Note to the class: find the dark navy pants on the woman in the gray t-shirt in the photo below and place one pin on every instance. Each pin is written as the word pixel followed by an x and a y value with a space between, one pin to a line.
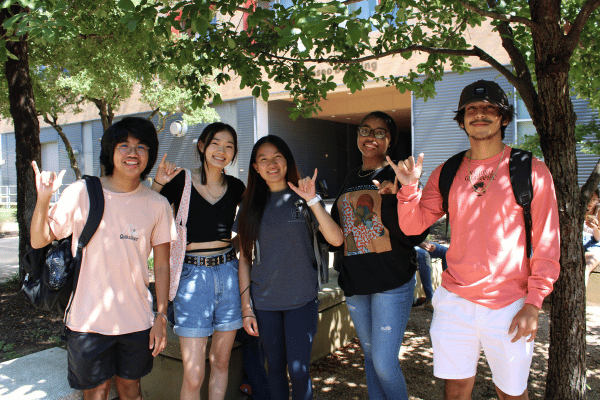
pixel 287 337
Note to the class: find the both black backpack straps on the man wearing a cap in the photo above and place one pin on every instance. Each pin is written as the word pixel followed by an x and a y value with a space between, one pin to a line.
pixel 519 168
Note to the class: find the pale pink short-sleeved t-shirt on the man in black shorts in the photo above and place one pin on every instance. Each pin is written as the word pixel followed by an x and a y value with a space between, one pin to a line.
pixel 112 296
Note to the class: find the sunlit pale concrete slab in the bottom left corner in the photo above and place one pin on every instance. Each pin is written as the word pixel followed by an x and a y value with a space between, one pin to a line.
pixel 41 375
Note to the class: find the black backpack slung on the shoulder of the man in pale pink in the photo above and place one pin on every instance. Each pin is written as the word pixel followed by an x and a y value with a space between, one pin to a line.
pixel 52 271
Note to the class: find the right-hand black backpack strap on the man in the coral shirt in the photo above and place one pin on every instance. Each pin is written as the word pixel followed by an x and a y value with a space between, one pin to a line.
pixel 522 185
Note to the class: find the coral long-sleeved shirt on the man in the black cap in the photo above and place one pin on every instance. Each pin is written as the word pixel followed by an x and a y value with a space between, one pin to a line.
pixel 487 263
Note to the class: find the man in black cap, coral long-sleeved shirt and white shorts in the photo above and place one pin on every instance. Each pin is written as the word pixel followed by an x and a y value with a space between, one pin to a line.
pixel 492 292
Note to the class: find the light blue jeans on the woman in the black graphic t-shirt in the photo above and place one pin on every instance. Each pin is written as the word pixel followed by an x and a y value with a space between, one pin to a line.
pixel 380 320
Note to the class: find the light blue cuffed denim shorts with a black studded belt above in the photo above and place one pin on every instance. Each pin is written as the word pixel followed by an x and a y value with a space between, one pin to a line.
pixel 207 299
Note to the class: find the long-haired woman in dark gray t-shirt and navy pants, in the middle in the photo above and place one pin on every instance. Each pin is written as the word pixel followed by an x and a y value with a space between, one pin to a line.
pixel 282 276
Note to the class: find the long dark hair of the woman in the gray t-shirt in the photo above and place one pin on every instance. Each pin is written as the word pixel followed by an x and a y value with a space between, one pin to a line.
pixel 257 193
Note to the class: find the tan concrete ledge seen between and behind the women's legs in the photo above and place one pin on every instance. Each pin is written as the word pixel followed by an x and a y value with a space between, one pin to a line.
pixel 335 329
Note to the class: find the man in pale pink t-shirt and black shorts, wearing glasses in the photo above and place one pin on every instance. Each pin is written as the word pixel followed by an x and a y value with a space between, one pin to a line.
pixel 111 327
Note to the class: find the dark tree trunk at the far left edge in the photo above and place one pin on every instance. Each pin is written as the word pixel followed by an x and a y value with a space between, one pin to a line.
pixel 27 131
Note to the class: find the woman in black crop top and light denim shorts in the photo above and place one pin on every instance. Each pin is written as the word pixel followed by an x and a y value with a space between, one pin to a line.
pixel 207 301
